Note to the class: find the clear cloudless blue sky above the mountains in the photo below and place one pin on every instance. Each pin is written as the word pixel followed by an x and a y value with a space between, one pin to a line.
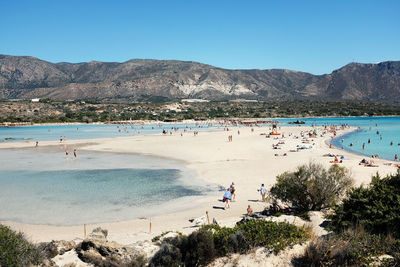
pixel 312 36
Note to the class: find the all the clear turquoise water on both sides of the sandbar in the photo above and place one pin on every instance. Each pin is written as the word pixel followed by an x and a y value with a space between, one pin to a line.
pixel 43 187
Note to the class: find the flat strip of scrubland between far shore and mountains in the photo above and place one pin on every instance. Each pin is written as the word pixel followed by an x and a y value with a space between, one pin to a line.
pixel 102 111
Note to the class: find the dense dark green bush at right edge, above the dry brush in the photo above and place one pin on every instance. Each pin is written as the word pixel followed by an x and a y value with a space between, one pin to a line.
pixel 376 208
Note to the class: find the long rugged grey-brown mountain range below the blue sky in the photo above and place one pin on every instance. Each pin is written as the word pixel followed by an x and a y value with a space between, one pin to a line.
pixel 138 79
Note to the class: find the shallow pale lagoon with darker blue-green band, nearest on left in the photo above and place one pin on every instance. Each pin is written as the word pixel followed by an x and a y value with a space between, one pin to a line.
pixel 47 188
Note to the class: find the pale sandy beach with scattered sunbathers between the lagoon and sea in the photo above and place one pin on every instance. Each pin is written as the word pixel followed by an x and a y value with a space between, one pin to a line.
pixel 248 161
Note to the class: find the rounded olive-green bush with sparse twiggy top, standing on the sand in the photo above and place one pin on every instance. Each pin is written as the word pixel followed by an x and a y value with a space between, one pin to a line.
pixel 312 187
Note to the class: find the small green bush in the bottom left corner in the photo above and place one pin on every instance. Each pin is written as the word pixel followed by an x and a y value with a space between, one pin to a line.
pixel 15 250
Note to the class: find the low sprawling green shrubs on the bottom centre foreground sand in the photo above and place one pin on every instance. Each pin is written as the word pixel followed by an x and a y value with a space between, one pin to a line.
pixel 202 246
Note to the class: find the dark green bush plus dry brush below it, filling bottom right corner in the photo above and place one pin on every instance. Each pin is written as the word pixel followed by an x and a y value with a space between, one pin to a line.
pixel 366 226
